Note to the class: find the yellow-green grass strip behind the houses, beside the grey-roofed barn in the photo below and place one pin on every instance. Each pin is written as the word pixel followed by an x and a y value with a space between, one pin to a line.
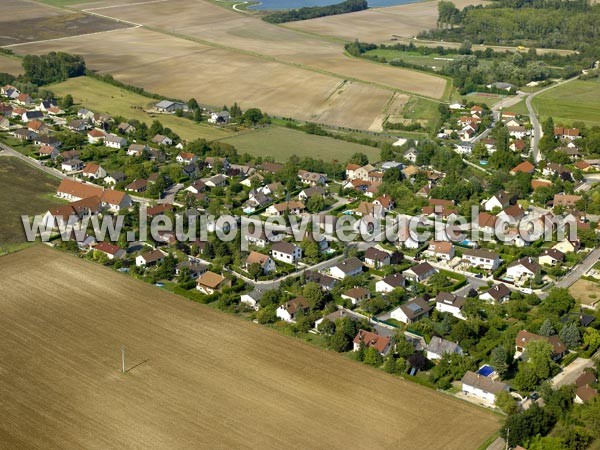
pixel 106 98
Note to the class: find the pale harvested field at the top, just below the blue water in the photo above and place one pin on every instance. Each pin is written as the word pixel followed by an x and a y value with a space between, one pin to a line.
pixel 379 24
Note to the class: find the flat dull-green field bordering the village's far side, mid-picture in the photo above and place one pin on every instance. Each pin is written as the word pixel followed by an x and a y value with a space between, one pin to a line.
pixel 281 143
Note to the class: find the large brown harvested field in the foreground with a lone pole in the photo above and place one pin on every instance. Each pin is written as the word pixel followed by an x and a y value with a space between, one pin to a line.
pixel 196 378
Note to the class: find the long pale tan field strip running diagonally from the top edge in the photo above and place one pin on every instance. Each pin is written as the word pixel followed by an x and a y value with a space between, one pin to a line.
pixel 199 19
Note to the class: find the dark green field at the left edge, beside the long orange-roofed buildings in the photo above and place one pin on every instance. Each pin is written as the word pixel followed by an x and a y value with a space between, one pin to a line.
pixel 25 190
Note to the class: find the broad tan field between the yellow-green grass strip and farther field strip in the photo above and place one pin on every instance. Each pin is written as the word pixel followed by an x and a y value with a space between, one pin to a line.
pixel 183 69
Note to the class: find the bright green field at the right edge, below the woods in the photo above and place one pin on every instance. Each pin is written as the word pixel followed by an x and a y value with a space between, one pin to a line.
pixel 575 101
